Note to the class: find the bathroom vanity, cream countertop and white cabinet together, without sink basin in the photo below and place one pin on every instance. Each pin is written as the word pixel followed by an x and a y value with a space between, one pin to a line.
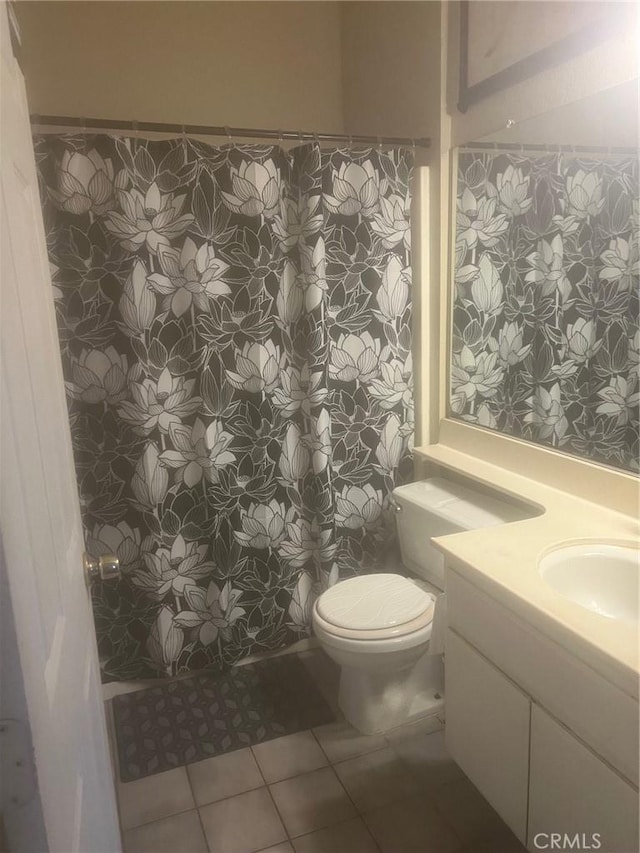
pixel 541 693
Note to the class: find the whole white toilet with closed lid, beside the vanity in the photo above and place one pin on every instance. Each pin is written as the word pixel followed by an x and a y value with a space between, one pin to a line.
pixel 378 627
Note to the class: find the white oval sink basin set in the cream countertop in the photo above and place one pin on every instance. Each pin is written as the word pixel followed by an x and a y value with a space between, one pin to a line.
pixel 601 578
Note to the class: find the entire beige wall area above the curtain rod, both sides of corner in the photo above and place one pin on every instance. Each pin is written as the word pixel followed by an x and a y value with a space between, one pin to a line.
pixel 365 67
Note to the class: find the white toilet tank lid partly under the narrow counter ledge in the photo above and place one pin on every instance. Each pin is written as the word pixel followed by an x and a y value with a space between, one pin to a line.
pixel 457 504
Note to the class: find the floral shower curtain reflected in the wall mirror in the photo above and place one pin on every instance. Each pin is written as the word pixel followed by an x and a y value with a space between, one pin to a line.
pixel 546 340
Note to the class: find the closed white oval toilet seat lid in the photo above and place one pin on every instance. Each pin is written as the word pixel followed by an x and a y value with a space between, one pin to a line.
pixel 375 603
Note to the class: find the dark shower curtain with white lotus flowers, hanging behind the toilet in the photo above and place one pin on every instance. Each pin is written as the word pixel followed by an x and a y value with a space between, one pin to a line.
pixel 235 333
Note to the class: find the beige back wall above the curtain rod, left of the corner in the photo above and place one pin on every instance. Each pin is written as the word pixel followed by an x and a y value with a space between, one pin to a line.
pixel 253 64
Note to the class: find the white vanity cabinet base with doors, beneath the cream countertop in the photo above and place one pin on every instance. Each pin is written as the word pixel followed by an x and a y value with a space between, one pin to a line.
pixel 543 766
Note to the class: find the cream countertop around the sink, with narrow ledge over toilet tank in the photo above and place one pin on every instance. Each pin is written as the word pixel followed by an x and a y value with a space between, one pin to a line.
pixel 503 561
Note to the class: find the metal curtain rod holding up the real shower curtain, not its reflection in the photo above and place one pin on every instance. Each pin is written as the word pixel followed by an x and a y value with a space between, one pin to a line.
pixel 204 130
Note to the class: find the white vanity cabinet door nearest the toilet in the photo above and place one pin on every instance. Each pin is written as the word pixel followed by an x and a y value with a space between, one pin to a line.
pixel 487 730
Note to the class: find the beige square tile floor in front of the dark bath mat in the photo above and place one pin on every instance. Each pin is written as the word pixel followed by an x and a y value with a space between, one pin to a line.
pixel 327 790
